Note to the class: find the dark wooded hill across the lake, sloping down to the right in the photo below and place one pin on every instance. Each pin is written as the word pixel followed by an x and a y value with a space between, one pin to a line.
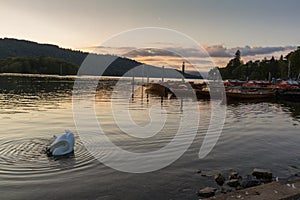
pixel 22 56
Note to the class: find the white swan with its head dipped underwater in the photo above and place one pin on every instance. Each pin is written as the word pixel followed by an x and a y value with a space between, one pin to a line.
pixel 62 145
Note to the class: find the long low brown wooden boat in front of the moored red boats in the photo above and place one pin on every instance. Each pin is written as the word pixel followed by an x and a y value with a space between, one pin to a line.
pixel 249 93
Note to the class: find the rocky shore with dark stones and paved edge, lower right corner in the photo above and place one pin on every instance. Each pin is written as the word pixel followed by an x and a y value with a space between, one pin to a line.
pixel 260 184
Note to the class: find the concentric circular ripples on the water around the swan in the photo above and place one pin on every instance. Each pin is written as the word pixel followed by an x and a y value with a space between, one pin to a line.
pixel 23 157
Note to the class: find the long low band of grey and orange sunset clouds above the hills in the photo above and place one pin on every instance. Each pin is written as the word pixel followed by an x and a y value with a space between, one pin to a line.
pixel 170 55
